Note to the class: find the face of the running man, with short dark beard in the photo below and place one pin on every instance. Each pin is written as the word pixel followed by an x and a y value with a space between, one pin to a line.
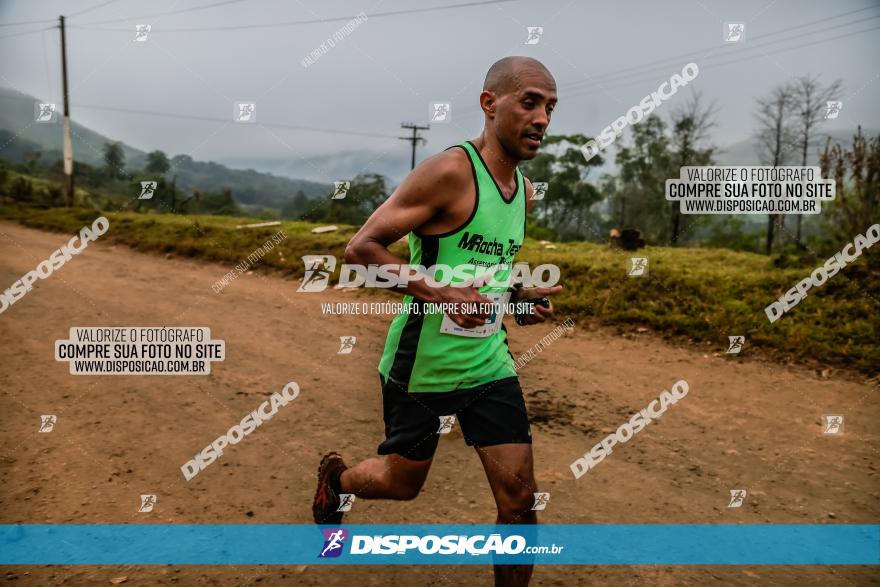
pixel 523 113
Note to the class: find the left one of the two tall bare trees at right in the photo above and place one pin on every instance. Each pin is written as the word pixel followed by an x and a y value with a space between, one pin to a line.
pixel 775 137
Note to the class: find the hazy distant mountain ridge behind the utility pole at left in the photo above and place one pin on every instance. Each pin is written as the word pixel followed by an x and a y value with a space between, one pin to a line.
pixel 22 137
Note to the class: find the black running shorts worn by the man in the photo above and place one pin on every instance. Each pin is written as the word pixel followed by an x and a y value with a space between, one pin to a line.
pixel 490 414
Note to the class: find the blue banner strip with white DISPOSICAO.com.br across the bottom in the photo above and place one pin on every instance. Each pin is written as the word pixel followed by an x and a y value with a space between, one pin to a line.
pixel 439 544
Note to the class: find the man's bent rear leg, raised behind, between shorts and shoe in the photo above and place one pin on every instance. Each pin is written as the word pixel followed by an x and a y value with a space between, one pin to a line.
pixel 386 477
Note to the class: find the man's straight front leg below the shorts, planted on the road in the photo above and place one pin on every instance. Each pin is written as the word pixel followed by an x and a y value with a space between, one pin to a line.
pixel 510 471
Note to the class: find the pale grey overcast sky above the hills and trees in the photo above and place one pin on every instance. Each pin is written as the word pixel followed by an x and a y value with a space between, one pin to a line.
pixel 605 57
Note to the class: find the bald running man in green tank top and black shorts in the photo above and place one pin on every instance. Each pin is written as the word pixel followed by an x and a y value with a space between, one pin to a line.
pixel 464 206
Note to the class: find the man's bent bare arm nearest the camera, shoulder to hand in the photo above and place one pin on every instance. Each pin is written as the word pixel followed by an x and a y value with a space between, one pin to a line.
pixel 425 197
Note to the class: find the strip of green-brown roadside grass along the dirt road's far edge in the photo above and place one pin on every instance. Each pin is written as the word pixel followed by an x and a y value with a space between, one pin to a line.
pixel 688 293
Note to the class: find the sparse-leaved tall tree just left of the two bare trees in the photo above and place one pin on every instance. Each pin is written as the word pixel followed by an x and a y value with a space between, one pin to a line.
pixel 690 125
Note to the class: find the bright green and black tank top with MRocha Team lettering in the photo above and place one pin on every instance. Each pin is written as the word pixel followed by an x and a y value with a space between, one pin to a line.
pixel 417 354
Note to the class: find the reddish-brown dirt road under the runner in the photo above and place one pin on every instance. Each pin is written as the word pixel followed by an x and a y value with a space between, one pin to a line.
pixel 746 423
